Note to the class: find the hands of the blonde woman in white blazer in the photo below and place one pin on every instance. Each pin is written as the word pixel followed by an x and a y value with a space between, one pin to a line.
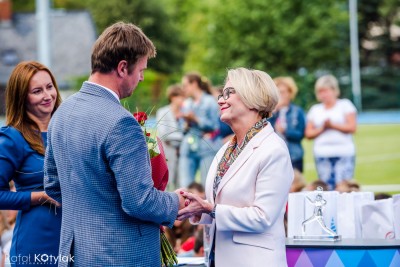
pixel 195 206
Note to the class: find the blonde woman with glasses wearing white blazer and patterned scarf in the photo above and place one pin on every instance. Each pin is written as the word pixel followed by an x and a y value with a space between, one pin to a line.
pixel 249 180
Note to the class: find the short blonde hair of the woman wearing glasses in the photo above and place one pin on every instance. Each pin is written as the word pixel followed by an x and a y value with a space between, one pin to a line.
pixel 256 89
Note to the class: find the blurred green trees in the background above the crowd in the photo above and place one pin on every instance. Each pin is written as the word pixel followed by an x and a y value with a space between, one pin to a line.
pixel 299 38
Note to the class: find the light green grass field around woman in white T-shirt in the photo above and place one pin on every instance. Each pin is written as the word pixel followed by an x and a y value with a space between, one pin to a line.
pixel 377 155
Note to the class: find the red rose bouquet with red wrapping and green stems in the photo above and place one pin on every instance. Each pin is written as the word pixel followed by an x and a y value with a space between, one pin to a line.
pixel 159 174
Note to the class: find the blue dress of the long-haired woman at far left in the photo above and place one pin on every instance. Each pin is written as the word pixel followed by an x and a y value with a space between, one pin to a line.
pixel 36 235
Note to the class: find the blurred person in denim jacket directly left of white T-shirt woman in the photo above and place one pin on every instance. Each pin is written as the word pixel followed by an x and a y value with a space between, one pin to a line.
pixel 289 120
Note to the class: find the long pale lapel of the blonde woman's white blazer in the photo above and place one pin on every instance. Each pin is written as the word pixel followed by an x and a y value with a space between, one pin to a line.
pixel 254 143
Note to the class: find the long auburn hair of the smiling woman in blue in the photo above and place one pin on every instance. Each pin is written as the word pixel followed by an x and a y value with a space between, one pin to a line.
pixel 16 97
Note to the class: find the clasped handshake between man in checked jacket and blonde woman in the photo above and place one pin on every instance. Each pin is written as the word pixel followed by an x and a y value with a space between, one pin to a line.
pixel 192 205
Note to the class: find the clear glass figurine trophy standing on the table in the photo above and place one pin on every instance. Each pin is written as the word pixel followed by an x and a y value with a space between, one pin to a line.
pixel 319 202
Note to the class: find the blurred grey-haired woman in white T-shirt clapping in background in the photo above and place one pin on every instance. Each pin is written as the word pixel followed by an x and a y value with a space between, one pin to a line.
pixel 331 123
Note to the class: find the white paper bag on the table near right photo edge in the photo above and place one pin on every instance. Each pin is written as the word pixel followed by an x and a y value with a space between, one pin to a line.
pixel 377 219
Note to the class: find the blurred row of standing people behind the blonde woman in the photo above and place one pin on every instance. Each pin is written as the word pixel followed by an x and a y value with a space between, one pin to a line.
pixel 192 133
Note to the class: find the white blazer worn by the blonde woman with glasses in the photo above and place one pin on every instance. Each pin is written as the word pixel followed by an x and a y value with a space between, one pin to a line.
pixel 251 199
